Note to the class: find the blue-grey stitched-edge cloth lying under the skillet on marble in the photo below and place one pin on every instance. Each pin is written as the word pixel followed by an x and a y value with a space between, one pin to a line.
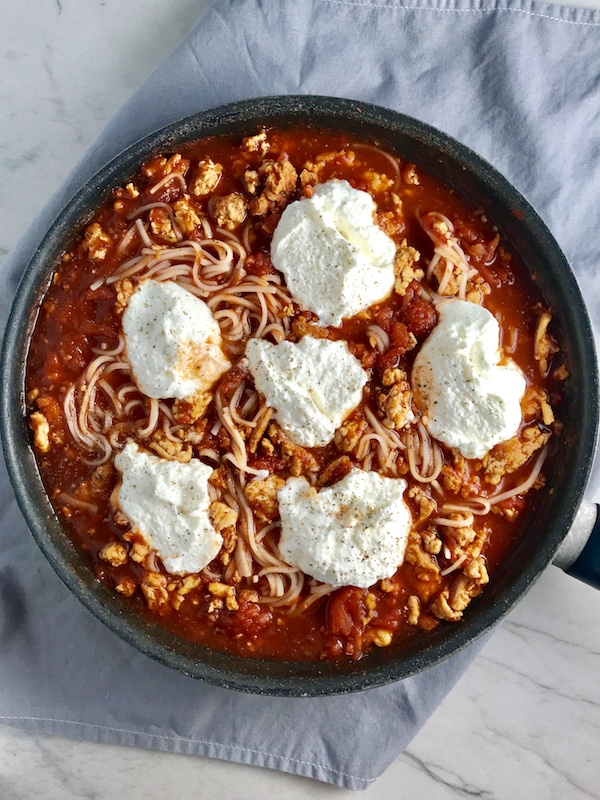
pixel 517 81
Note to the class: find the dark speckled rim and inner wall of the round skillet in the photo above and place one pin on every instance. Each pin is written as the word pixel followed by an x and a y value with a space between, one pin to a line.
pixel 553 508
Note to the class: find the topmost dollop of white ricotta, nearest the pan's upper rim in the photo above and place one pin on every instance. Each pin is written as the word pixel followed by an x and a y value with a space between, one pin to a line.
pixel 335 260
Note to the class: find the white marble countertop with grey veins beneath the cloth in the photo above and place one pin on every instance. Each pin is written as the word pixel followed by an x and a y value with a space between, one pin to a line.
pixel 524 721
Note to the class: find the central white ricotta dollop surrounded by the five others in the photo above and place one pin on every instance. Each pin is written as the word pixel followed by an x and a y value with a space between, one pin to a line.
pixel 312 385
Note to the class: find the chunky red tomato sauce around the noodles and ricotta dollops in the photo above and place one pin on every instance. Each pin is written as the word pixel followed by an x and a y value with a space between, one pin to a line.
pixel 77 317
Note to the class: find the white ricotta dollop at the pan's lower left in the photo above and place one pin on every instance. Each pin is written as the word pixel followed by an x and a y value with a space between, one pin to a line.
pixel 167 503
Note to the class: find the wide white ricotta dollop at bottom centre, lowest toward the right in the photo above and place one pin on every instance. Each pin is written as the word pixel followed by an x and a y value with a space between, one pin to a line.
pixel 353 533
